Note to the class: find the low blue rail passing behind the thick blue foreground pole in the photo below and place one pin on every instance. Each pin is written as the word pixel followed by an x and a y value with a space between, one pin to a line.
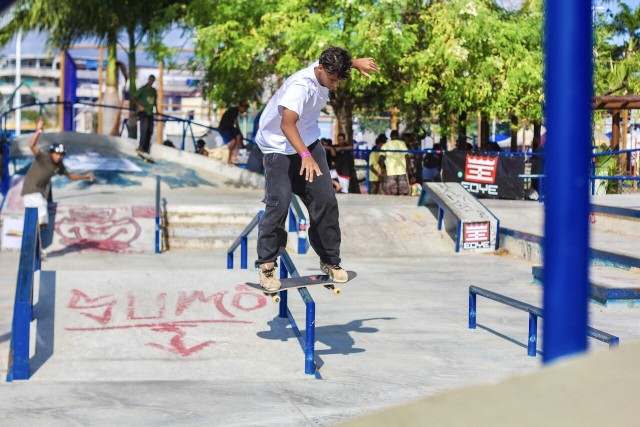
pixel 534 314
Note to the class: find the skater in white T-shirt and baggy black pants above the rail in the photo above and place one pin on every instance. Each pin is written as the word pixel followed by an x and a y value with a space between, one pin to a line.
pixel 295 161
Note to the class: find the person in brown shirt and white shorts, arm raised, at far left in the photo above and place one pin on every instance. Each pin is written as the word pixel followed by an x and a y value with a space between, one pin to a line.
pixel 38 179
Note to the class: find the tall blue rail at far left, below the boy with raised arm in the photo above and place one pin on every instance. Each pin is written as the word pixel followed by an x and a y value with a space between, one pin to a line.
pixel 23 306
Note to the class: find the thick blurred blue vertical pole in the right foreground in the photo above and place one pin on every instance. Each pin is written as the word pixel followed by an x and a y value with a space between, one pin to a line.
pixel 568 89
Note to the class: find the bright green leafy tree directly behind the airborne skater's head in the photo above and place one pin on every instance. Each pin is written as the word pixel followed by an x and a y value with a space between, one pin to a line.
pixel 242 45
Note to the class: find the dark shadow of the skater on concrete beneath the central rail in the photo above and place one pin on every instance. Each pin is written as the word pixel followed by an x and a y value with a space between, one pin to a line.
pixel 337 338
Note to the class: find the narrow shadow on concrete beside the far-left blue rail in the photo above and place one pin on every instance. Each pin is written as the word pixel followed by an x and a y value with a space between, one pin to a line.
pixel 44 313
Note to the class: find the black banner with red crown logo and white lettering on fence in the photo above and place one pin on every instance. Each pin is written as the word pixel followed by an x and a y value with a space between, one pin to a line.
pixel 489 175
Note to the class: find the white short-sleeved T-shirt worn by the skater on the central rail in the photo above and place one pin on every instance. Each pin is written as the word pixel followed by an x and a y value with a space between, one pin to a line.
pixel 301 93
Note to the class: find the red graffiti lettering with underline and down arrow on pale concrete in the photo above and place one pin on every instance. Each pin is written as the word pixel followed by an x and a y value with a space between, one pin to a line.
pixel 100 309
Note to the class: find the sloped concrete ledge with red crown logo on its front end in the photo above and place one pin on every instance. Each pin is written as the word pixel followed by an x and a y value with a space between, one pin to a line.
pixel 469 223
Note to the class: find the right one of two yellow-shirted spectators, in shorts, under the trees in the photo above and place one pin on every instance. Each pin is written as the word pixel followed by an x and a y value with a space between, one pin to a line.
pixel 395 167
